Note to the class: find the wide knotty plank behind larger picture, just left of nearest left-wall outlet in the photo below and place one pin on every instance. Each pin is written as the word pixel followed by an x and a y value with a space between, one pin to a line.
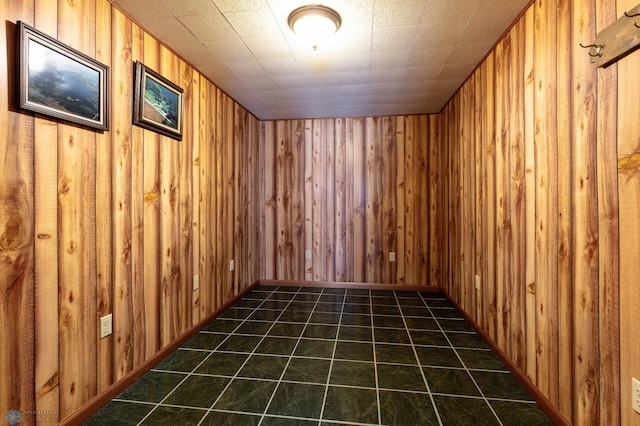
pixel 76 227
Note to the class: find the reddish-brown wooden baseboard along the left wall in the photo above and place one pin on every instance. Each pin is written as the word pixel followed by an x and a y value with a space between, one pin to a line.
pixel 100 400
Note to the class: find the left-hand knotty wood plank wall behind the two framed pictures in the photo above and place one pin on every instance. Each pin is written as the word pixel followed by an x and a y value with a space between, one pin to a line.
pixel 117 221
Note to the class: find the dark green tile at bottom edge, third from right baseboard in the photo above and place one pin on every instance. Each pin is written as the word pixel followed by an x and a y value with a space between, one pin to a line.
pixel 404 408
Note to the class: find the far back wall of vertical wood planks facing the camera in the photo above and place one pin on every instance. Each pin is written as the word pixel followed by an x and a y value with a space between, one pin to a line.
pixel 350 191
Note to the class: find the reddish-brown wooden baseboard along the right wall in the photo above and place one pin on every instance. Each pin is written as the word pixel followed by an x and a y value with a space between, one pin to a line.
pixel 550 410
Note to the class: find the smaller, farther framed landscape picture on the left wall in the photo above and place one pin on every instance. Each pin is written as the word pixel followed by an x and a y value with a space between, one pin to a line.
pixel 157 103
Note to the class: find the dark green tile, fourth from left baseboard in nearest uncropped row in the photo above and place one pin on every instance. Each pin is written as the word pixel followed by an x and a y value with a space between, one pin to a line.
pixel 297 400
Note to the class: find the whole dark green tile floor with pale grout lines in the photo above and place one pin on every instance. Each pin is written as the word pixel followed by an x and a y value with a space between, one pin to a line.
pixel 313 356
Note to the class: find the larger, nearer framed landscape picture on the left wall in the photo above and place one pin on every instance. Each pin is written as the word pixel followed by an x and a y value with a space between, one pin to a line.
pixel 60 82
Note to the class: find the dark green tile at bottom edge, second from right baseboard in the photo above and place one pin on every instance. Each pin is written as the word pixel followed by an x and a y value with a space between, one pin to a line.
pixel 464 411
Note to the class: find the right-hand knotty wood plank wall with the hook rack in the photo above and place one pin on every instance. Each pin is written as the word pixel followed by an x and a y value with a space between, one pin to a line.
pixel 541 192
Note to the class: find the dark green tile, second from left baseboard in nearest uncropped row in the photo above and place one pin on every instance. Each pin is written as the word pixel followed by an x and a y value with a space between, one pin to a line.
pixel 197 391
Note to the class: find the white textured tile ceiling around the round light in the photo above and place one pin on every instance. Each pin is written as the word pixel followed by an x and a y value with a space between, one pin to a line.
pixel 390 57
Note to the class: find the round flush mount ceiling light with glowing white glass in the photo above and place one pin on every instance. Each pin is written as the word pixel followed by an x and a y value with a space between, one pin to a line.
pixel 314 23
